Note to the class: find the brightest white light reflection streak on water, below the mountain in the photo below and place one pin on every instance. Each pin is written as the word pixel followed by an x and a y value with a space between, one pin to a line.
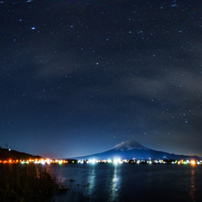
pixel 115 183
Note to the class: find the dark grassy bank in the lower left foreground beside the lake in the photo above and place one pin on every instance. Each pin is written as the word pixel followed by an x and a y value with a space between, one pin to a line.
pixel 26 183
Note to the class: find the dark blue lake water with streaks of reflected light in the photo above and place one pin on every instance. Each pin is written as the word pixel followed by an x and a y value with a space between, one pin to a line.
pixel 129 182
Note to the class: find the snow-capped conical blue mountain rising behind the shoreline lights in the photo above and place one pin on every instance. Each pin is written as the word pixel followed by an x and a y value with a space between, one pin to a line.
pixel 132 149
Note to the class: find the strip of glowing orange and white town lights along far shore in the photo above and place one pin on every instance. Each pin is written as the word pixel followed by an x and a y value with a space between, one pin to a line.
pixel 48 161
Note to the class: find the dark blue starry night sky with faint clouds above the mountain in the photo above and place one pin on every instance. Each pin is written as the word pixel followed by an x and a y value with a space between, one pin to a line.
pixel 80 76
